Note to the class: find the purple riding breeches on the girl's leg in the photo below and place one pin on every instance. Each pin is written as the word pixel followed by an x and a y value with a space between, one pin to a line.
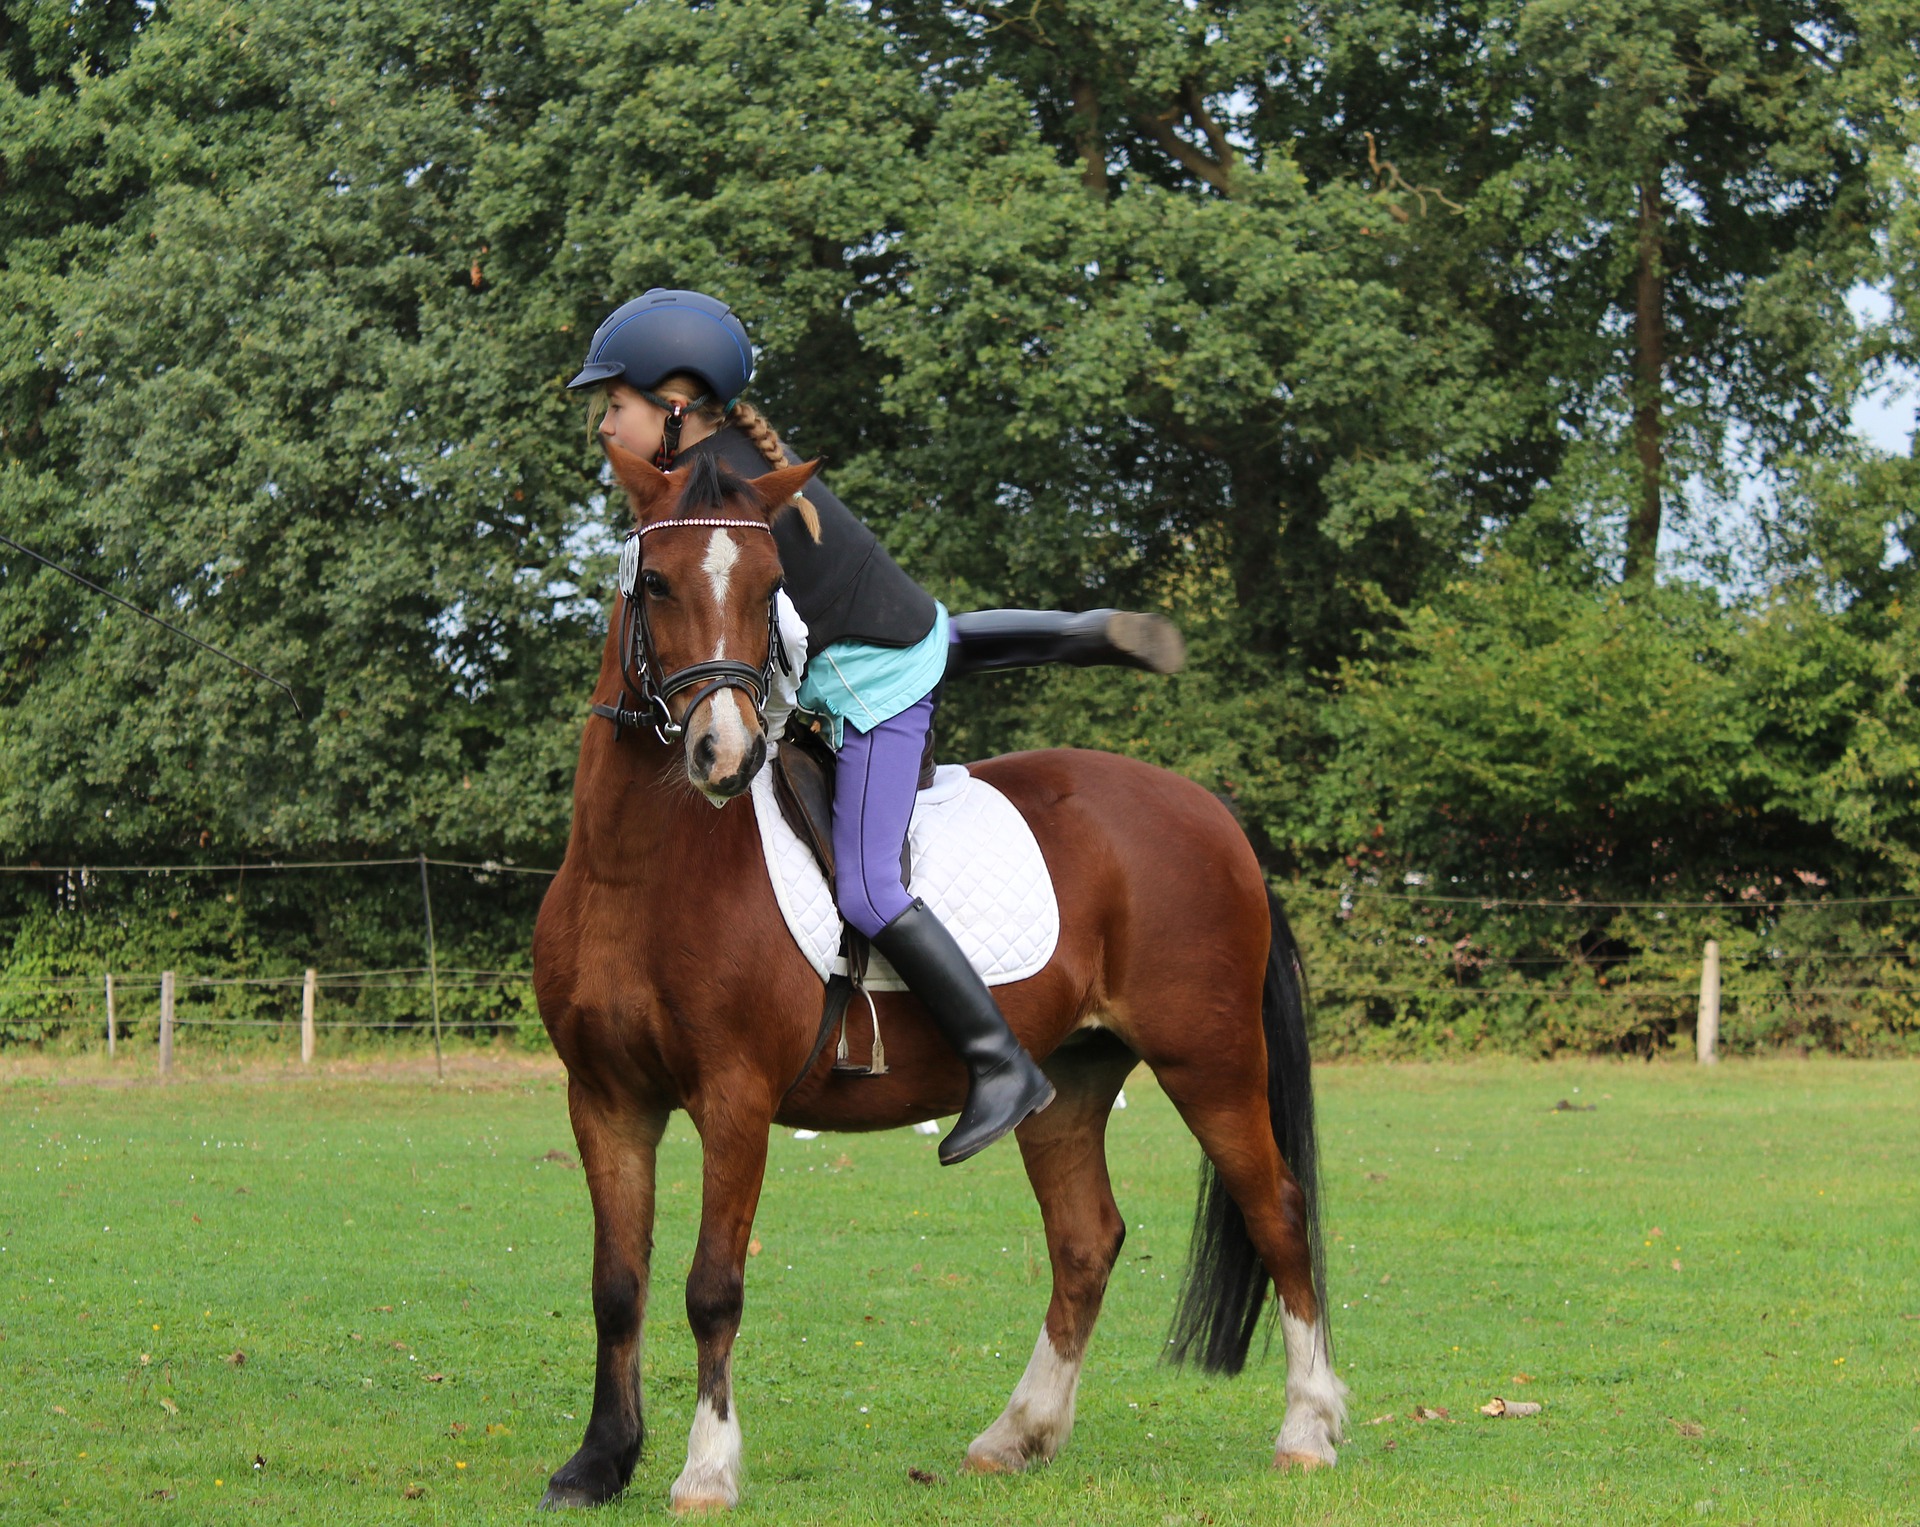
pixel 875 783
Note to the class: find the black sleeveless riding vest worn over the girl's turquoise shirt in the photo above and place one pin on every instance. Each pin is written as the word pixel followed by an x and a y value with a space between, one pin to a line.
pixel 846 589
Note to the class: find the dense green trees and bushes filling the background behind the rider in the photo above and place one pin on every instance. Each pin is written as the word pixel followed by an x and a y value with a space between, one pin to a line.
pixel 1307 327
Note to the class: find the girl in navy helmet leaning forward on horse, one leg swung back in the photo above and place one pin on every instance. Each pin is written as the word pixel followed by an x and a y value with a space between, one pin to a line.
pixel 671 368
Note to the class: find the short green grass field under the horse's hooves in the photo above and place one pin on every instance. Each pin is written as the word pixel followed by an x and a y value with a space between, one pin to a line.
pixel 1710 1280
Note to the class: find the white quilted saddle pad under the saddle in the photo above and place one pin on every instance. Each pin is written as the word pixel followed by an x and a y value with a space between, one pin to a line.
pixel 976 865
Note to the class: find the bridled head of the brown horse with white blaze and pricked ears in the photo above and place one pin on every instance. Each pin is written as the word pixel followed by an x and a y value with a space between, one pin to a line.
pixel 698 608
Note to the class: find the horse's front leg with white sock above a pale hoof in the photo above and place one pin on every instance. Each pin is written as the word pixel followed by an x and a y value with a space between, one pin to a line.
pixel 734 1151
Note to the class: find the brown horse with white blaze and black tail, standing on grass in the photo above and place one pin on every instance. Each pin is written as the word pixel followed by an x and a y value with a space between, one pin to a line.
pixel 667 981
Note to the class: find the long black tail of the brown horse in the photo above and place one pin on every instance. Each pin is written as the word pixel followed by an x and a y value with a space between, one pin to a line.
pixel 1226 1278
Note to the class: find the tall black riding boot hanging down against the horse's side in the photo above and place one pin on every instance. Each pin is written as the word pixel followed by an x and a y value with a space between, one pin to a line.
pixel 1005 1082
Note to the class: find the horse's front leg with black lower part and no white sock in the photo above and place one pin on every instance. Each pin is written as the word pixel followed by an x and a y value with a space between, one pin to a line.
pixel 617 1150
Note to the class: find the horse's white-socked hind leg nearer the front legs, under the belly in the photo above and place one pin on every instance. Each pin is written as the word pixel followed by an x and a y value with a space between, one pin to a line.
pixel 1065 1150
